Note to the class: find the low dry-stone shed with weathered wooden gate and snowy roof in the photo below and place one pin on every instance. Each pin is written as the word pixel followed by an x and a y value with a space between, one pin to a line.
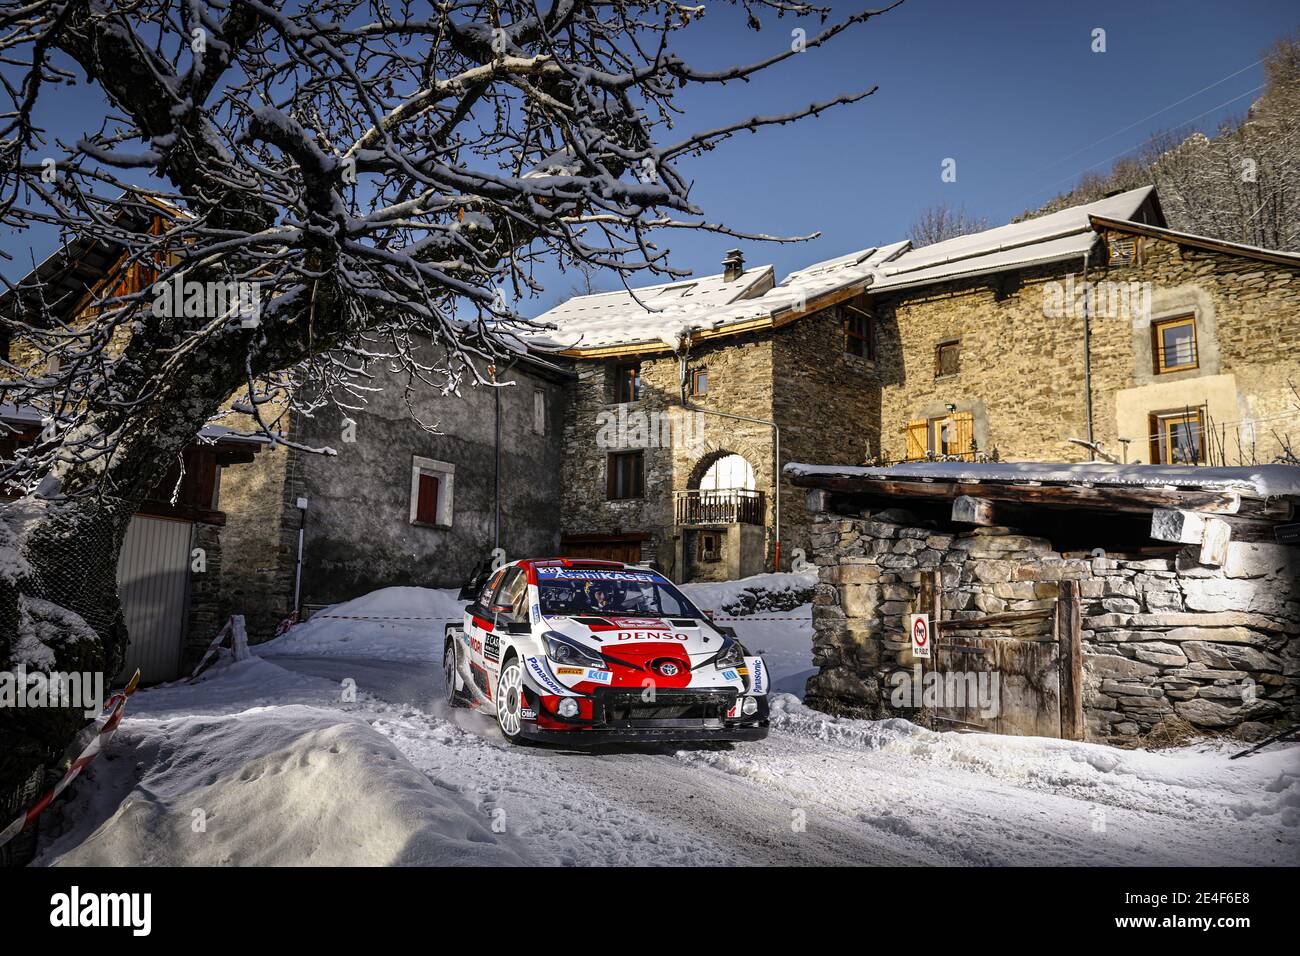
pixel 1085 602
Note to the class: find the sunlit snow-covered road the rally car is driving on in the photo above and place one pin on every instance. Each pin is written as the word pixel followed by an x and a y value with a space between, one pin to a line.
pixel 825 793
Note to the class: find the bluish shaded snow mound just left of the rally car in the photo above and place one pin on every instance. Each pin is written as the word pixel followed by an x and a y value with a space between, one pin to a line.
pixel 388 625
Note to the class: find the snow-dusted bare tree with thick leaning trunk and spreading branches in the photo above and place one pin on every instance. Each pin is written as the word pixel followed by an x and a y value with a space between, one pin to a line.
pixel 383 174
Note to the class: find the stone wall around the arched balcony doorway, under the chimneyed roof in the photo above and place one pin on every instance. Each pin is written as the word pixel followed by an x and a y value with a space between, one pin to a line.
pixel 825 401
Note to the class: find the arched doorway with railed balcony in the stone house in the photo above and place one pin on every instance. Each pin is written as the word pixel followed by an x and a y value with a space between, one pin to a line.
pixel 721 520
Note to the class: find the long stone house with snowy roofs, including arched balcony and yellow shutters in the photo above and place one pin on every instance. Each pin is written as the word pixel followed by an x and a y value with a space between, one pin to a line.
pixel 1091 334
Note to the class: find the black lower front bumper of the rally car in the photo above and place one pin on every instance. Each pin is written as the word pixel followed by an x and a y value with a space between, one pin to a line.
pixel 621 715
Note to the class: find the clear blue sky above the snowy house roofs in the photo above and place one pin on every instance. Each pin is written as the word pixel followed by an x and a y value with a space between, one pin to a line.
pixel 1008 89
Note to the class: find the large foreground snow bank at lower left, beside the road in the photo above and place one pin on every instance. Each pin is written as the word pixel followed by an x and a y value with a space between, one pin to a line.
pixel 291 786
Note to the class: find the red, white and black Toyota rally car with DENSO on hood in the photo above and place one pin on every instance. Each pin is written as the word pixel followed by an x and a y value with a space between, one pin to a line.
pixel 595 652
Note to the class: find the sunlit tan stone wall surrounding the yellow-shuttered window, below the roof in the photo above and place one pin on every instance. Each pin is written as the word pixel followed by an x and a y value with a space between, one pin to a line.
pixel 1022 371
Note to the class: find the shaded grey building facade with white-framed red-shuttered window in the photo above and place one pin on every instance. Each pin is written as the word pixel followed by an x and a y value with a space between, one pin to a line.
pixel 362 530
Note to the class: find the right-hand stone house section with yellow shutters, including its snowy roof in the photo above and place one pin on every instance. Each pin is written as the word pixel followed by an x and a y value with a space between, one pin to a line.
pixel 1091 327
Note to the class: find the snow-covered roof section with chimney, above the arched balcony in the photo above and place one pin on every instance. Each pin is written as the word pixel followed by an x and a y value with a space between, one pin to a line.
pixel 657 314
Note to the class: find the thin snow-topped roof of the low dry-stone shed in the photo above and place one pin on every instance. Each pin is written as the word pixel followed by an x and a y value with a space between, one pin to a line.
pixel 1264 481
